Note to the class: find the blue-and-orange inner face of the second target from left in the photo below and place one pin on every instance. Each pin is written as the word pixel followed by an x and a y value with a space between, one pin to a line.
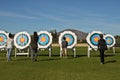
pixel 22 40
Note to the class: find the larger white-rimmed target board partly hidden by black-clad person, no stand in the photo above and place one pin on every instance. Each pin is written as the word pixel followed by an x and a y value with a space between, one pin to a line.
pixel 92 38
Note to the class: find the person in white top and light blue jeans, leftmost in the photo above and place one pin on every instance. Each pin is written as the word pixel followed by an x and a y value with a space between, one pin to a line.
pixel 9 45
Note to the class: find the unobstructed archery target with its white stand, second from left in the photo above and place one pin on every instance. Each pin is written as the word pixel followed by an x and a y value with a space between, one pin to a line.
pixel 22 41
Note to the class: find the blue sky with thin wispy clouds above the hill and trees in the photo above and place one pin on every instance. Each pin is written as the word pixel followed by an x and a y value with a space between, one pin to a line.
pixel 83 15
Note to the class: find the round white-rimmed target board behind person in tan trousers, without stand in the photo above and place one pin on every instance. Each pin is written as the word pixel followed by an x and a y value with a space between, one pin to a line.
pixel 71 38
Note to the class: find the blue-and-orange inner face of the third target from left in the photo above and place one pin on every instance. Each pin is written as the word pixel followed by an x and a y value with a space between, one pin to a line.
pixel 43 39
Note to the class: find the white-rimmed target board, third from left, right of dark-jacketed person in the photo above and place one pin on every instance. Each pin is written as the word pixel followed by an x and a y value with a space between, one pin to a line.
pixel 44 39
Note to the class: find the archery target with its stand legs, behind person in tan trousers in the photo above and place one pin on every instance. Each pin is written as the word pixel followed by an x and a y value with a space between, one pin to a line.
pixel 71 38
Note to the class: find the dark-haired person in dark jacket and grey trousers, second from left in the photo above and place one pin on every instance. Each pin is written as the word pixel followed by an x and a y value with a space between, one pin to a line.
pixel 34 46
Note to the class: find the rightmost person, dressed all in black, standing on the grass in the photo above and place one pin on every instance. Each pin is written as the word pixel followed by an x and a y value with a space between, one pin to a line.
pixel 102 47
